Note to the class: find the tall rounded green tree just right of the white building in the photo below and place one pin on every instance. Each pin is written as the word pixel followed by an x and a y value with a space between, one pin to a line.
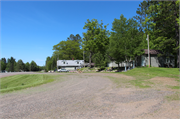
pixel 96 39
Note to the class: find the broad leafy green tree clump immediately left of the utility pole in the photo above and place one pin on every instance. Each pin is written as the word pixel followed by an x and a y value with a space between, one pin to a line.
pixel 125 40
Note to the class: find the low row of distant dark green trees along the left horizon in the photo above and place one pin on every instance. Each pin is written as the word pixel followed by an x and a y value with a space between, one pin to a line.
pixel 11 65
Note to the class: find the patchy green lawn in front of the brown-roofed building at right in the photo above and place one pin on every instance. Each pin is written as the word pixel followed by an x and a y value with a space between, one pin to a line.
pixel 142 75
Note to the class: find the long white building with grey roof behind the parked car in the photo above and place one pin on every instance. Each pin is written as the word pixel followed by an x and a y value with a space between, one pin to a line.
pixel 70 64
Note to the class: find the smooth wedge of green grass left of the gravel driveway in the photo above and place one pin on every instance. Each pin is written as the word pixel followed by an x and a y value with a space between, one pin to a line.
pixel 18 82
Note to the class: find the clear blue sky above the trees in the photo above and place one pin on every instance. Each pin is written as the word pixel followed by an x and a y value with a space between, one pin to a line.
pixel 29 29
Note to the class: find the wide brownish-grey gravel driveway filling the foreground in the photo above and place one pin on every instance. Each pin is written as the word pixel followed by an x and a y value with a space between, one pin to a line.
pixel 88 96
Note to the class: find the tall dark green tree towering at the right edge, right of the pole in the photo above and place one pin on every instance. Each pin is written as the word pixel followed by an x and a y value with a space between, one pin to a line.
pixel 164 19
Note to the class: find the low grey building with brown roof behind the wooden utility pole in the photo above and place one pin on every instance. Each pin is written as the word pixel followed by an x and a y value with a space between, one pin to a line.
pixel 155 61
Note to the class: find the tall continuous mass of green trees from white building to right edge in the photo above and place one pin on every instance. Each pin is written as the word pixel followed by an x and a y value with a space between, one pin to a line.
pixel 158 19
